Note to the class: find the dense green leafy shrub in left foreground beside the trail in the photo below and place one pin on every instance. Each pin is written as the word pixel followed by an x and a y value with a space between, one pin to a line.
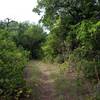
pixel 12 63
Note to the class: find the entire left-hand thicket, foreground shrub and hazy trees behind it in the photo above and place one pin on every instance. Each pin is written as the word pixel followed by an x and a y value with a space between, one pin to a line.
pixel 19 42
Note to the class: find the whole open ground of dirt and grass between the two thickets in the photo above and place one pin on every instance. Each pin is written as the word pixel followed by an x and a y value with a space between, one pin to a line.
pixel 49 78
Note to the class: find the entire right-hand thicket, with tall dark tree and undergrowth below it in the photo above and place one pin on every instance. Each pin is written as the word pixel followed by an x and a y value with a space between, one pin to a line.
pixel 74 38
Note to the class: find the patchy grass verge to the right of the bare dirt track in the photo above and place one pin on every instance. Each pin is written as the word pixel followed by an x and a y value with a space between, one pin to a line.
pixel 70 85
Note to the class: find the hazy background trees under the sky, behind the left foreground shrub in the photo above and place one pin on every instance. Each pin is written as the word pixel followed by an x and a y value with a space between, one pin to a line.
pixel 29 36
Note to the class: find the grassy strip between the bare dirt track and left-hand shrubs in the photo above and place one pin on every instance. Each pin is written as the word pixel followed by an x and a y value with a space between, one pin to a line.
pixel 32 76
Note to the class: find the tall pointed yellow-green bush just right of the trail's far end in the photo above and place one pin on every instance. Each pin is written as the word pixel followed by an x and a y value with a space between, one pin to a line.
pixel 55 47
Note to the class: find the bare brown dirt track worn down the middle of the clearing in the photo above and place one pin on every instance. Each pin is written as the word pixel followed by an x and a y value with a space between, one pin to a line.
pixel 47 80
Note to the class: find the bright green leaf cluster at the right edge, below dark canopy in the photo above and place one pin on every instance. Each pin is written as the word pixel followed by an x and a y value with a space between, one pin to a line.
pixel 88 33
